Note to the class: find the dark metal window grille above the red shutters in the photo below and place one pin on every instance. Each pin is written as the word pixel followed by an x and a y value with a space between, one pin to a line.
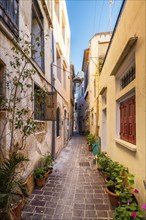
pixel 128 77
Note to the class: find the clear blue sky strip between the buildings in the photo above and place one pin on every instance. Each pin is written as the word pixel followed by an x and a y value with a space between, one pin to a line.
pixel 87 17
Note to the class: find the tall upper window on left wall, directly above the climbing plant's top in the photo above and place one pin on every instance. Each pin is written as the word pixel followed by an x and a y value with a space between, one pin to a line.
pixel 37 35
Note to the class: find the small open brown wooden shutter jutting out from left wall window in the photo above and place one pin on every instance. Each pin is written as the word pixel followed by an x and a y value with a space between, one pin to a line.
pixel 51 106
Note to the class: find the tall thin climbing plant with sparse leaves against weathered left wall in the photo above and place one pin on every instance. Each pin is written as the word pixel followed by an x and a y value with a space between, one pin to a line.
pixel 17 98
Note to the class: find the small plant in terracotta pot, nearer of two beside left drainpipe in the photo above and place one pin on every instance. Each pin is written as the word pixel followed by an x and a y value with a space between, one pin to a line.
pixel 39 175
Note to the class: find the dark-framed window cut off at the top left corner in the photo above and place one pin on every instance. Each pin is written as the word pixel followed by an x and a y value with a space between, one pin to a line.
pixel 9 10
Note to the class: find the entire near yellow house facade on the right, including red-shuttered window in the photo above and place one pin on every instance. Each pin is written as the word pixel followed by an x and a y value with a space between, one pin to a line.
pixel 122 94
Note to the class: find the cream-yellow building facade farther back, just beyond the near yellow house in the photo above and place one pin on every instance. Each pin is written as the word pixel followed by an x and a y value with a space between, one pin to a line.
pixel 97 50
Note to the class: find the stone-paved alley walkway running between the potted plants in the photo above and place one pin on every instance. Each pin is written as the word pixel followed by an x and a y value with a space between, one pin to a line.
pixel 74 191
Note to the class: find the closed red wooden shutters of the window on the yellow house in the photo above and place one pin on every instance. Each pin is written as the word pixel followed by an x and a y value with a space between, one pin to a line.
pixel 127 120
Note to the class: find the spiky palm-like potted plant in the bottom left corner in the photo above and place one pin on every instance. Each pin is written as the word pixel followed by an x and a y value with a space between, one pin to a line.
pixel 12 190
